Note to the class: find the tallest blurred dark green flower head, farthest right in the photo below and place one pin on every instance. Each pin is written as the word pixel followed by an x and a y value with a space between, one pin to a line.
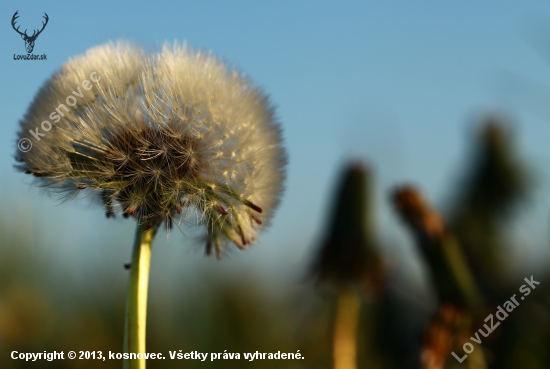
pixel 496 182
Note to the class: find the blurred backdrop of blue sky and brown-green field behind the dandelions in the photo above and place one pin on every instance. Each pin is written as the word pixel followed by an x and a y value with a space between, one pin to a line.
pixel 405 87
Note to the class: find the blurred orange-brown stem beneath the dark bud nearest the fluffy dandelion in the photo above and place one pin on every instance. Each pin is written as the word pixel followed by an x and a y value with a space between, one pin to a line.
pixel 345 330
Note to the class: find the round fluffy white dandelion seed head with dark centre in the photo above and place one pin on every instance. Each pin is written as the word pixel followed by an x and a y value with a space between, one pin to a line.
pixel 169 137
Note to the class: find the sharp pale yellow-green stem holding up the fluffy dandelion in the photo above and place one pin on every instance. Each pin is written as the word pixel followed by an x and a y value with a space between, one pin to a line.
pixel 136 303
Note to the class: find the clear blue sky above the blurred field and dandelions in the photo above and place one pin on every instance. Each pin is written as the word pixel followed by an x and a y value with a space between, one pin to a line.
pixel 396 83
